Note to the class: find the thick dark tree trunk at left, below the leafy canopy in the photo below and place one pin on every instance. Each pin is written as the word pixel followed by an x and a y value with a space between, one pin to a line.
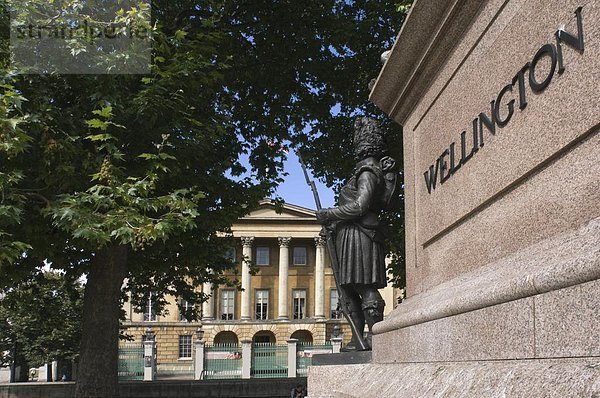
pixel 97 374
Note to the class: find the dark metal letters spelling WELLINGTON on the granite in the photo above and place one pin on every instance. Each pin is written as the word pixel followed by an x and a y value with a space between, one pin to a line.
pixel 446 165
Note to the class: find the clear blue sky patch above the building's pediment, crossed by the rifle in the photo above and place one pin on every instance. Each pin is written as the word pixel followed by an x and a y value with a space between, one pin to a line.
pixel 294 189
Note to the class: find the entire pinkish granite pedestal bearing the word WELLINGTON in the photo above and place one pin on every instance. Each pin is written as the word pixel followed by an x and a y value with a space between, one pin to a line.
pixel 499 104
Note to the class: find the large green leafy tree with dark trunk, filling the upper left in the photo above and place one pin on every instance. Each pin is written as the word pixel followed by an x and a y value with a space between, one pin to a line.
pixel 132 177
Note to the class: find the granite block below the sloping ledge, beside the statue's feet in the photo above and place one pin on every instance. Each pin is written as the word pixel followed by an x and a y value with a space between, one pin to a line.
pixel 504 331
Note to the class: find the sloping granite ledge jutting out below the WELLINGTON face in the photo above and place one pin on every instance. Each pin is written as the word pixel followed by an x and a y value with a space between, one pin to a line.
pixel 561 261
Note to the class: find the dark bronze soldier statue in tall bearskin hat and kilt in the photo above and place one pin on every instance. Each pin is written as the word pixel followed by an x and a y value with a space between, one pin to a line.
pixel 357 233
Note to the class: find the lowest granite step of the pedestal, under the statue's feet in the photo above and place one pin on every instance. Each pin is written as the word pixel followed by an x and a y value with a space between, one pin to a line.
pixel 573 378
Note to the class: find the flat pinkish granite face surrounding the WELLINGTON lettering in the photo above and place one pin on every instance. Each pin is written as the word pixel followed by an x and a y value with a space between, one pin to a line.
pixel 568 111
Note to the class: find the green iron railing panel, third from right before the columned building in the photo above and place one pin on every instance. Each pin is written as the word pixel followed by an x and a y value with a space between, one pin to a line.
pixel 222 361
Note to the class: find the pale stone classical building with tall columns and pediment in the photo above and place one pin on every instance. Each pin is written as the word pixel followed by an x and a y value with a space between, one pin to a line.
pixel 292 295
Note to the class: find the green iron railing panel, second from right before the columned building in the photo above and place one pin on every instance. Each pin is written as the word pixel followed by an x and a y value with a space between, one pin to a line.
pixel 269 360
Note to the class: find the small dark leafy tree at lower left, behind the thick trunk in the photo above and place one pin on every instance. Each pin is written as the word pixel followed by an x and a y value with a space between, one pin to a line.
pixel 42 317
